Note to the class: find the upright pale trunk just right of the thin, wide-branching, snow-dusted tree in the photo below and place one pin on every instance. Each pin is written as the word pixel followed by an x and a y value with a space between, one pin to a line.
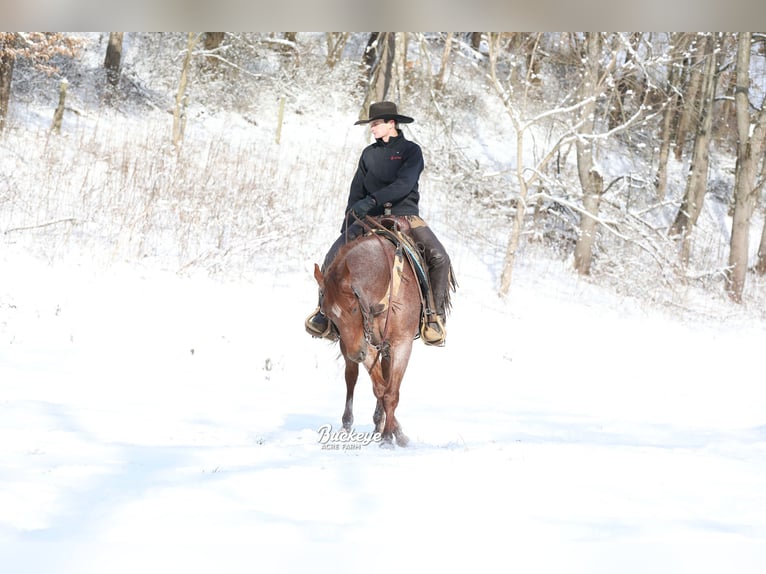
pixel 590 180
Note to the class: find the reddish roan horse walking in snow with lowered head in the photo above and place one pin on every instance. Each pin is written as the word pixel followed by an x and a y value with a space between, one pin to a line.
pixel 371 294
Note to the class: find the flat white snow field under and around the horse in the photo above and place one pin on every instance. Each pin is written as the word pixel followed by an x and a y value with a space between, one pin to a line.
pixel 152 422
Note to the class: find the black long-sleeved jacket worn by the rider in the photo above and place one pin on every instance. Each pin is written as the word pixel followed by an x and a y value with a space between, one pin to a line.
pixel 389 171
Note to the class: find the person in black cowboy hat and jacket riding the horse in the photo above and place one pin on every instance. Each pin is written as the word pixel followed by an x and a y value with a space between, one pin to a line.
pixel 388 173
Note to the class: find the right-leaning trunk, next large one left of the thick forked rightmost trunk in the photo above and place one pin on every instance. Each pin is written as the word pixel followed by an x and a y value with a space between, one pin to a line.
pixel 696 184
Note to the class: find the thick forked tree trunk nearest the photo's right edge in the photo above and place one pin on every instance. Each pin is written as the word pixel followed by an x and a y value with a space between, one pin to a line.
pixel 749 152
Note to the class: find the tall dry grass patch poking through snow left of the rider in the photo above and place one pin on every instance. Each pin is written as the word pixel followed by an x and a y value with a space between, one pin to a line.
pixel 117 190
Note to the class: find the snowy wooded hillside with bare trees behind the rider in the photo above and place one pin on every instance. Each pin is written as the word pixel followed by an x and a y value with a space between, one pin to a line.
pixel 638 157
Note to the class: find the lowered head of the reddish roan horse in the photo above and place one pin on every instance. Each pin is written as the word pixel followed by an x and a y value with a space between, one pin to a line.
pixel 342 305
